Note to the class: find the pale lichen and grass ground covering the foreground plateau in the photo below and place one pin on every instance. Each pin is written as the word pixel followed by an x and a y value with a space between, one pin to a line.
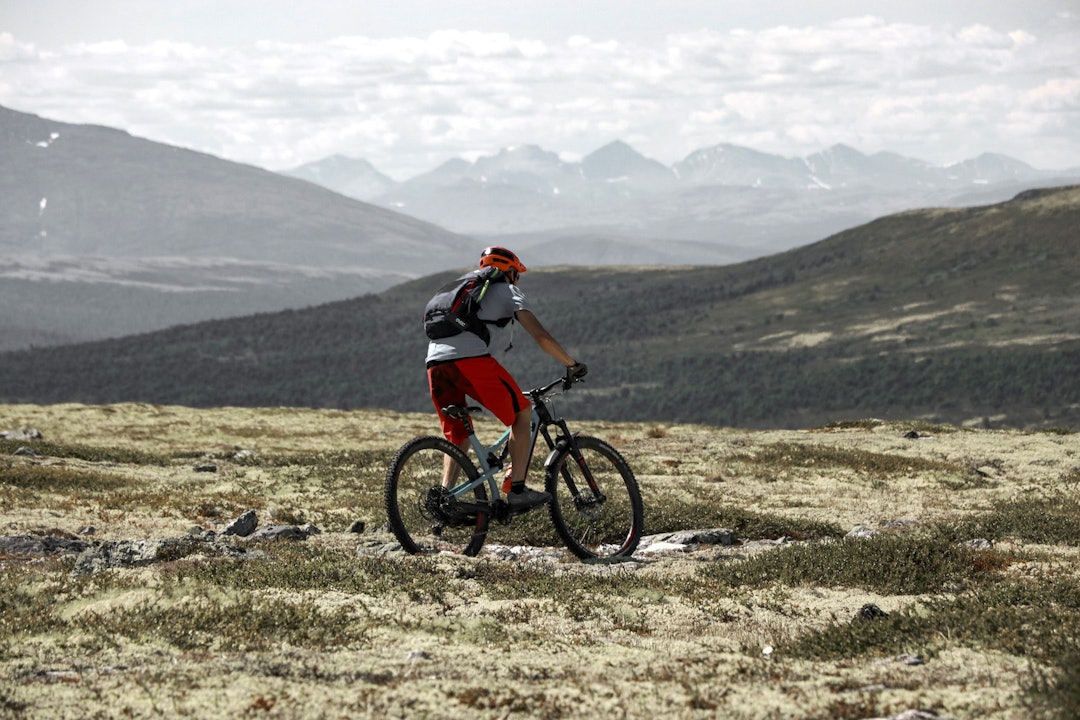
pixel 331 628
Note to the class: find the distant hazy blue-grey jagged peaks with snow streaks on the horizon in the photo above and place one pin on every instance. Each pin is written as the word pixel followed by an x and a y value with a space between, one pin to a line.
pixel 721 205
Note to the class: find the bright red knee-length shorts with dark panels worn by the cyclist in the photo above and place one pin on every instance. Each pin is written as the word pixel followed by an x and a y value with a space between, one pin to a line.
pixel 483 379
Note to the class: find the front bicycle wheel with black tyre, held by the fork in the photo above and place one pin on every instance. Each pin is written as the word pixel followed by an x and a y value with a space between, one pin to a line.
pixel 597 507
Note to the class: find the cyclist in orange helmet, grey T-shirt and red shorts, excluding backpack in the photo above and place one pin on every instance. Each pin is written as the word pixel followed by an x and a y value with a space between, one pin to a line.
pixel 463 365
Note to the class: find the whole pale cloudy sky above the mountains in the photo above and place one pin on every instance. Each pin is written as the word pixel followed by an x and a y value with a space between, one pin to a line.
pixel 409 85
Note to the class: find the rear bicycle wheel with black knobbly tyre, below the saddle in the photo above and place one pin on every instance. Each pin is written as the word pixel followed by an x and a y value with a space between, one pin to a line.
pixel 422 514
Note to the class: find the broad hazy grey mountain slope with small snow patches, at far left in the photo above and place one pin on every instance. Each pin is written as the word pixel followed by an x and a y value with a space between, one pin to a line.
pixel 104 235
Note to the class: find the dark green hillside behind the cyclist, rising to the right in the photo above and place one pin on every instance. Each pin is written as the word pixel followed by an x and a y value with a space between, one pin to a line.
pixel 957 316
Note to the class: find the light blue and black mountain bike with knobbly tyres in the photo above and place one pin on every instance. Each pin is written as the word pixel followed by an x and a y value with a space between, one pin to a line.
pixel 438 499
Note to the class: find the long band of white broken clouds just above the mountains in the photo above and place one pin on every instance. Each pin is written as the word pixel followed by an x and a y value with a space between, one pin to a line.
pixel 408 104
